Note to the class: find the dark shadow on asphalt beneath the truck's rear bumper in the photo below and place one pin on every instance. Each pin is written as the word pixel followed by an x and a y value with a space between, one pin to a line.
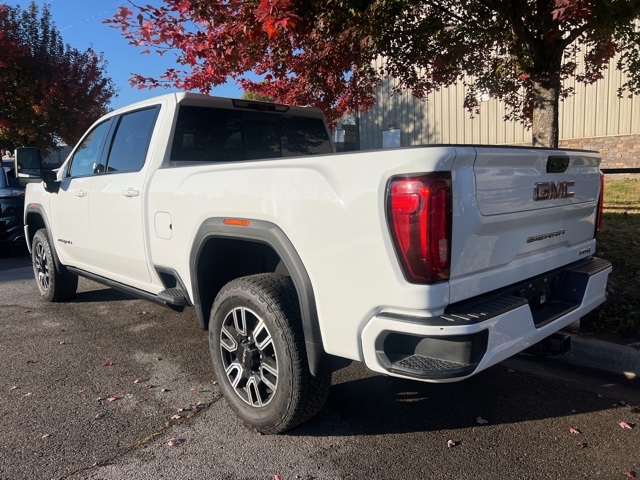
pixel 378 405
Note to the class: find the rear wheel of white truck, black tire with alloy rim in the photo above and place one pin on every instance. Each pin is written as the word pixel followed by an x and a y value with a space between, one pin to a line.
pixel 258 352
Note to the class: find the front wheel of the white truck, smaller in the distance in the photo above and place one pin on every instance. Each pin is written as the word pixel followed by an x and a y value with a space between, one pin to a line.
pixel 54 286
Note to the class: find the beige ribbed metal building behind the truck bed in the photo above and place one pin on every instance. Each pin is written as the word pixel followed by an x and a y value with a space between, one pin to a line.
pixel 593 119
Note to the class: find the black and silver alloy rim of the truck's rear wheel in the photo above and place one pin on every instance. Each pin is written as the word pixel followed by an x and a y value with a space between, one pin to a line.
pixel 249 357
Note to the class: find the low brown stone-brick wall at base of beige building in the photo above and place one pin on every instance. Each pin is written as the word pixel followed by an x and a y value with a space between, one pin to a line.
pixel 616 151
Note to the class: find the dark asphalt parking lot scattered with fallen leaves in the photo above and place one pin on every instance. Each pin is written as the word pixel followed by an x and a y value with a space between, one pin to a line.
pixel 98 387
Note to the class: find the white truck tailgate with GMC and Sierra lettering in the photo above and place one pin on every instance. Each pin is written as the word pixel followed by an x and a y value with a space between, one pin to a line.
pixel 531 211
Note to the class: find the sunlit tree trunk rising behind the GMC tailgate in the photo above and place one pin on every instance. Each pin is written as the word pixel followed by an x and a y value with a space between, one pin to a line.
pixel 545 112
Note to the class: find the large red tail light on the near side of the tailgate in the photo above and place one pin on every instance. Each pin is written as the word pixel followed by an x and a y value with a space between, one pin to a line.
pixel 419 217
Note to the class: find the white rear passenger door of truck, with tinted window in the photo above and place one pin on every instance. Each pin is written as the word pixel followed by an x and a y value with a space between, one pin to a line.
pixel 116 200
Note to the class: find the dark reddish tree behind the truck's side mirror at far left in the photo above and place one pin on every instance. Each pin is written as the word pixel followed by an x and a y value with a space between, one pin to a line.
pixel 49 92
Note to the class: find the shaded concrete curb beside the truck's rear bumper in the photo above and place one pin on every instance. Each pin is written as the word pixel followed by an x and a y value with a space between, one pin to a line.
pixel 607 356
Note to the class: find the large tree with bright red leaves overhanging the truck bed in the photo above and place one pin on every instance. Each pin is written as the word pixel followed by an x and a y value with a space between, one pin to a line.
pixel 324 53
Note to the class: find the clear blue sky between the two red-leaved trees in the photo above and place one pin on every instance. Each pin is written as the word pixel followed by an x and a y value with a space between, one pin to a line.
pixel 80 25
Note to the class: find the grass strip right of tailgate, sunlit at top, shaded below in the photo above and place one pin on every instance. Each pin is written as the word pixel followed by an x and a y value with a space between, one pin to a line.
pixel 619 242
